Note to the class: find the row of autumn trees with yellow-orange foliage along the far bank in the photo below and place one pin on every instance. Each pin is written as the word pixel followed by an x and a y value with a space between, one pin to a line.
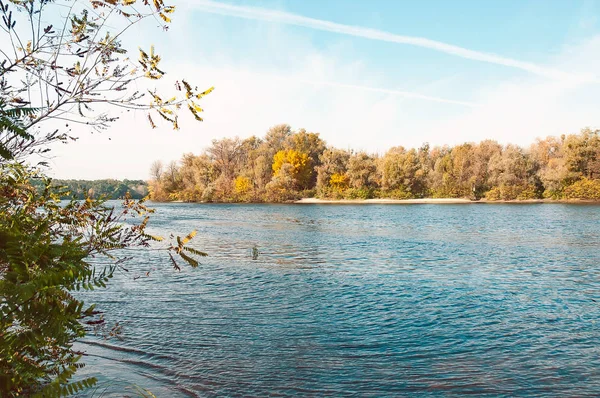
pixel 286 165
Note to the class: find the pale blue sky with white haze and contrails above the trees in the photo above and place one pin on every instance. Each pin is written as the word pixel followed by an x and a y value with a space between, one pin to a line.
pixel 366 75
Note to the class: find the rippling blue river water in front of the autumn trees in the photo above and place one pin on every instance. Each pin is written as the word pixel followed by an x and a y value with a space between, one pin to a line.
pixel 361 300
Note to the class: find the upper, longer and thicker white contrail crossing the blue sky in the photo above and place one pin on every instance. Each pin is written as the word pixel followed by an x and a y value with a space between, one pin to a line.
pixel 264 14
